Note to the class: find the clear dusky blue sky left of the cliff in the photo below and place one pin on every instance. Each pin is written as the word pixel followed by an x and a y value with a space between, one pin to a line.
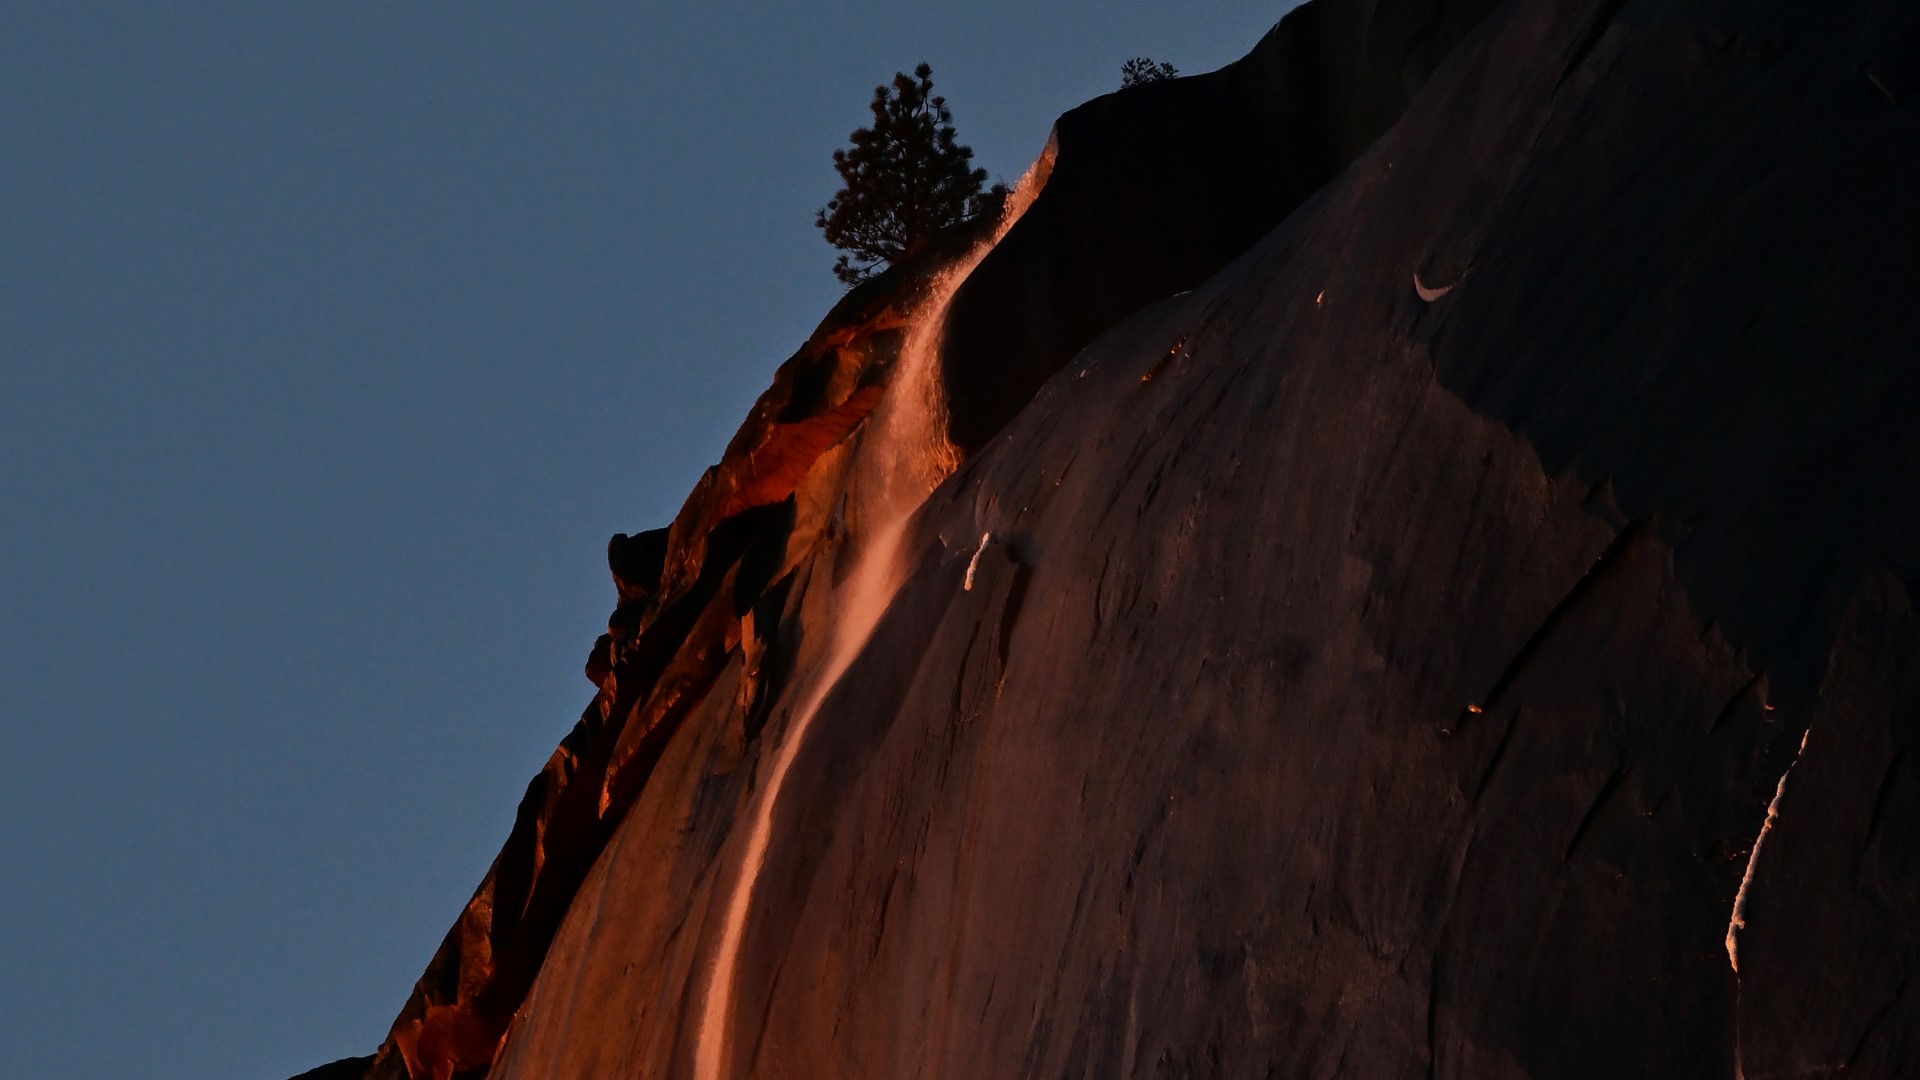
pixel 335 341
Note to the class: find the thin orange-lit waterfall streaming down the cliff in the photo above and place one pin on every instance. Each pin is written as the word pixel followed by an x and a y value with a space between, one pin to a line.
pixel 901 458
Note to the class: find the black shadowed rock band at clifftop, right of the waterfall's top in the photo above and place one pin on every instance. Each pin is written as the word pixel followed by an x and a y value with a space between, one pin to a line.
pixel 1159 187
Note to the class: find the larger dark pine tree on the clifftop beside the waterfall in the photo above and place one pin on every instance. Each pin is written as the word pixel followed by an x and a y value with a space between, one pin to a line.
pixel 907 178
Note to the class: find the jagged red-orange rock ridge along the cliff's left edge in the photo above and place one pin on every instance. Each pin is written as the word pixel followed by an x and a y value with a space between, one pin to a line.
pixel 683 595
